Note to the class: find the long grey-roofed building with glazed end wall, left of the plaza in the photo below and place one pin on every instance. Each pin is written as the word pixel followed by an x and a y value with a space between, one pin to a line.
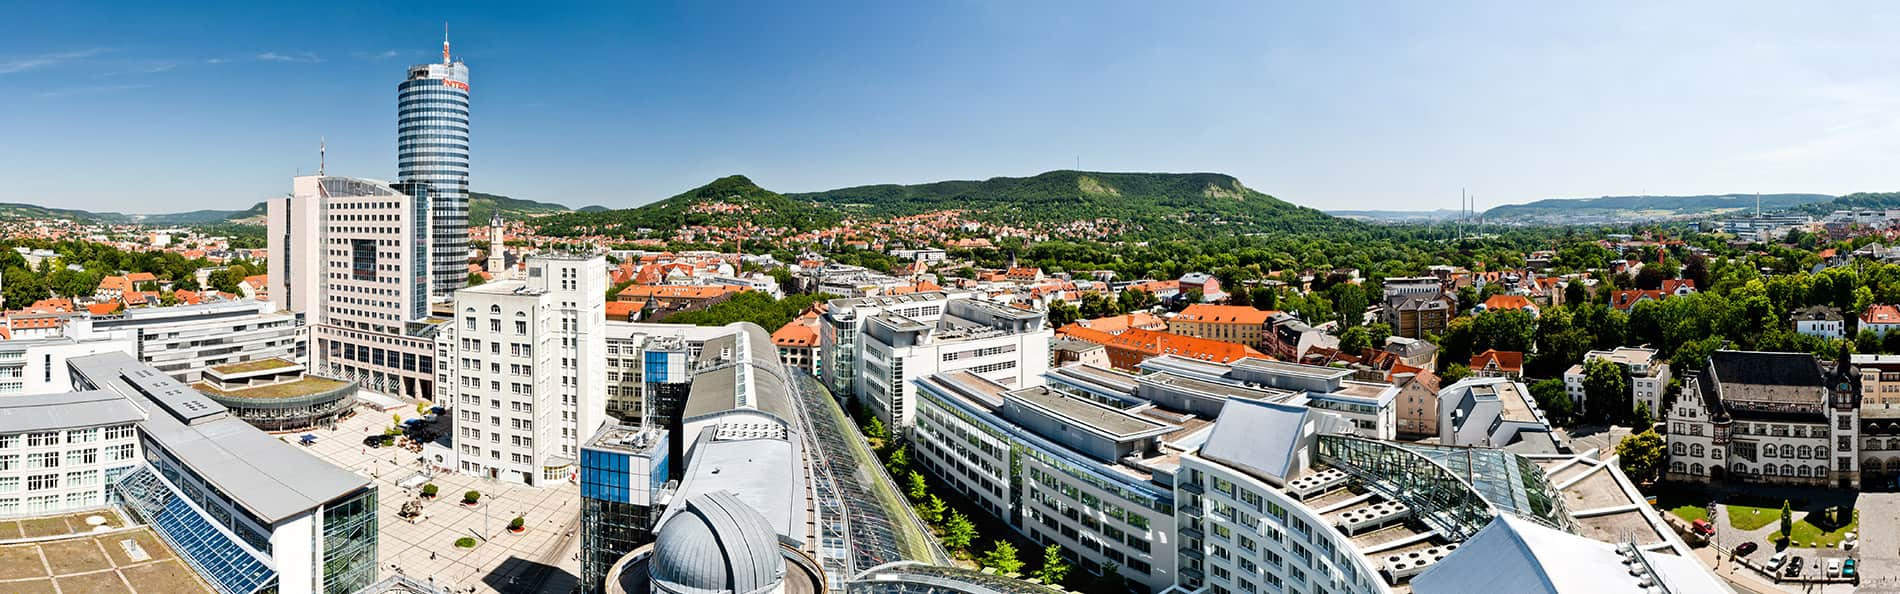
pixel 244 510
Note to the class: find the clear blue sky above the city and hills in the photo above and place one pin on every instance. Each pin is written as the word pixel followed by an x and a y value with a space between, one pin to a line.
pixel 1356 105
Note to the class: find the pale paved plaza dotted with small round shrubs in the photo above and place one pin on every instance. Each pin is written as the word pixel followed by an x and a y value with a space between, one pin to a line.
pixel 542 559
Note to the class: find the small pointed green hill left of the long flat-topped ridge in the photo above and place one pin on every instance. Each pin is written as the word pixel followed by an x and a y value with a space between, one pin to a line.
pixel 723 202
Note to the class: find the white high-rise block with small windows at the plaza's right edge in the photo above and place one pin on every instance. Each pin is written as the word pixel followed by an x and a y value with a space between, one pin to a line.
pixel 531 384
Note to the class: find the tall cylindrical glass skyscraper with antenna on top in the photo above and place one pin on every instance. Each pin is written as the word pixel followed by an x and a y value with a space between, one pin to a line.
pixel 432 145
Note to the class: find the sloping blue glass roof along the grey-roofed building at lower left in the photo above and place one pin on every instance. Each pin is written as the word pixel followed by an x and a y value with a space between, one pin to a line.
pixel 218 555
